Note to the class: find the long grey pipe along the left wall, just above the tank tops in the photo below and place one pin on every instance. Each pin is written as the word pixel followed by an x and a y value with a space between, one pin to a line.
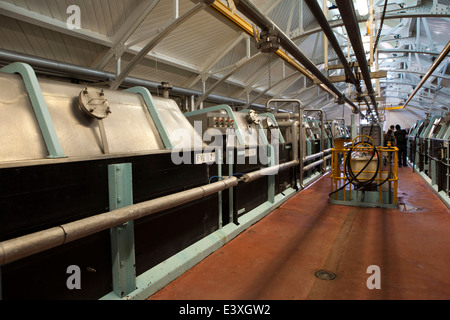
pixel 84 73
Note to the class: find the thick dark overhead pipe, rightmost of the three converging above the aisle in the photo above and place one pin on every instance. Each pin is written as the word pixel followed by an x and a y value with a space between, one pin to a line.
pixel 347 10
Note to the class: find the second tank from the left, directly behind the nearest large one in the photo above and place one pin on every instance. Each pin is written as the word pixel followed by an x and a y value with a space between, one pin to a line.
pixel 249 142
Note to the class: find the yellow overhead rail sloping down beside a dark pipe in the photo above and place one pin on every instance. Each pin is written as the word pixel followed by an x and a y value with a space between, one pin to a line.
pixel 246 27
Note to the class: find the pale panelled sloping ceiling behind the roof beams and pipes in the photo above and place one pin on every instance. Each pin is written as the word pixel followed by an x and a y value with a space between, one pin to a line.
pixel 194 51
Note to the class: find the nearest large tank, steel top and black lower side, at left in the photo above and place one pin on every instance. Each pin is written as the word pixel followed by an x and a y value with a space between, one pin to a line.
pixel 41 190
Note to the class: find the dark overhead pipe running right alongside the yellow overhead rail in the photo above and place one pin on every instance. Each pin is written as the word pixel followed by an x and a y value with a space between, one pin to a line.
pixel 252 12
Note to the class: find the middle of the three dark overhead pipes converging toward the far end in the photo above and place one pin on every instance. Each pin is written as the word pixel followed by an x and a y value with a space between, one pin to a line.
pixel 323 22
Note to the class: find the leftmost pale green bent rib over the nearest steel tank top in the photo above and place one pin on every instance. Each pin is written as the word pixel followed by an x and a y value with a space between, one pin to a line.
pixel 39 106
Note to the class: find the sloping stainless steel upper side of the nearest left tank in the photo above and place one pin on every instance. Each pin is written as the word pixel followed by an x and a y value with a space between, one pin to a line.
pixel 128 128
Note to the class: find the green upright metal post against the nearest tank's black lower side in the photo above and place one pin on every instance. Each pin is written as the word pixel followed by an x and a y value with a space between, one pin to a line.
pixel 122 237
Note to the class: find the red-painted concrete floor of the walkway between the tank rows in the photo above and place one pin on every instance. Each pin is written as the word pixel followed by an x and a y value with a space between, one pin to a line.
pixel 276 259
